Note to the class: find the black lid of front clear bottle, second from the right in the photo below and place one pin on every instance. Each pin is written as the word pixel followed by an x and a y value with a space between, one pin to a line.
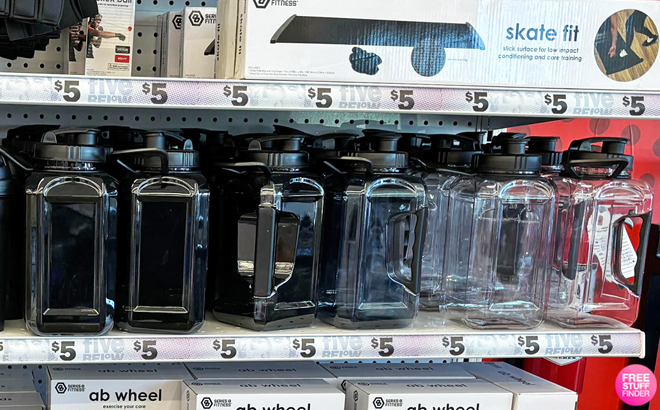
pixel 511 158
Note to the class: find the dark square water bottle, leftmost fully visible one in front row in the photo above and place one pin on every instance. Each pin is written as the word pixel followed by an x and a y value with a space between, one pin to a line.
pixel 71 237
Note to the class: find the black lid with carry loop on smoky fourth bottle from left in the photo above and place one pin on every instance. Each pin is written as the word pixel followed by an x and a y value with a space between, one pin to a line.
pixel 383 153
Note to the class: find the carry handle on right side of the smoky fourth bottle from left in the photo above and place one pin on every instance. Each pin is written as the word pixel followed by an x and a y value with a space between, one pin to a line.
pixel 415 268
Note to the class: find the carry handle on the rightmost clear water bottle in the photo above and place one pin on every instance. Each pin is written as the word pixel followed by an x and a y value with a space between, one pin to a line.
pixel 617 243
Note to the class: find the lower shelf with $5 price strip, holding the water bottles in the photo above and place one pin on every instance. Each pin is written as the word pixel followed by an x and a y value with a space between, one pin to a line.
pixel 428 338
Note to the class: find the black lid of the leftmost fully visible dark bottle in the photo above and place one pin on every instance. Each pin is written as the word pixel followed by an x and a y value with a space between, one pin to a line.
pixel 79 146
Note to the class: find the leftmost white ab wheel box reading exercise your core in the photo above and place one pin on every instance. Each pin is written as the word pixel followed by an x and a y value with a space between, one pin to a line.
pixel 96 386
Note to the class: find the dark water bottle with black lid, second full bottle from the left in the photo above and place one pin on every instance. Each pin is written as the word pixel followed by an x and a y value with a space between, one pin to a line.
pixel 164 208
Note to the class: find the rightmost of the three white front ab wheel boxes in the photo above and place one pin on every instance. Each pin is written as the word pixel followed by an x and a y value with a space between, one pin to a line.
pixel 426 395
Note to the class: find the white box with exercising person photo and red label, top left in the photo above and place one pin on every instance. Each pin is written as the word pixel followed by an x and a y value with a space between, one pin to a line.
pixel 110 39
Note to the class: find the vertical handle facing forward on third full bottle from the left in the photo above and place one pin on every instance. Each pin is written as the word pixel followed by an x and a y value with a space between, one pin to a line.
pixel 264 255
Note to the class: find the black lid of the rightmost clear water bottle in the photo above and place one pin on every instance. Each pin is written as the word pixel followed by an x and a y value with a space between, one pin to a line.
pixel 612 149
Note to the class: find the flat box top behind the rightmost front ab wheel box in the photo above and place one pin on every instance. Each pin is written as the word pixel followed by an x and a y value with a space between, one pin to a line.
pixel 344 372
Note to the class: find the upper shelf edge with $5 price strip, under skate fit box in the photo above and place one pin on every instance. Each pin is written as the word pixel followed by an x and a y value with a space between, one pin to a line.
pixel 283 96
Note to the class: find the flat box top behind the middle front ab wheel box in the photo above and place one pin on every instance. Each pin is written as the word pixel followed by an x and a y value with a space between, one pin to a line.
pixel 259 370
